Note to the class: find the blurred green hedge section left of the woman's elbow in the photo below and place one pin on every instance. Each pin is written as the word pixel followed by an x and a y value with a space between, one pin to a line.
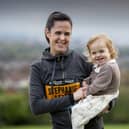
pixel 15 110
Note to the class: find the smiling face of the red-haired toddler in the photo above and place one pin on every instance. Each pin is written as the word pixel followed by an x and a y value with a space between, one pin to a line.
pixel 99 52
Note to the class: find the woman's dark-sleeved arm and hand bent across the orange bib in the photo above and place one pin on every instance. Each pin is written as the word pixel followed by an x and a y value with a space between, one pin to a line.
pixel 39 104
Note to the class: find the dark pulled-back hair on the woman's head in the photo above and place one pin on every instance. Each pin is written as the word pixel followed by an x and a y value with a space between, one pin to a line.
pixel 56 16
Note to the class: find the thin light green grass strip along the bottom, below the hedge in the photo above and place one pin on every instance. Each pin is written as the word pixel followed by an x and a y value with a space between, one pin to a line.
pixel 117 126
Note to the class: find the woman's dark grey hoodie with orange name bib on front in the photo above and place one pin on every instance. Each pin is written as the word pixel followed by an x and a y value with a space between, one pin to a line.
pixel 52 77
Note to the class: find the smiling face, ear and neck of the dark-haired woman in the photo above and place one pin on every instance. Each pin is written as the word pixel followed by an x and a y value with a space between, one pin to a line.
pixel 59 37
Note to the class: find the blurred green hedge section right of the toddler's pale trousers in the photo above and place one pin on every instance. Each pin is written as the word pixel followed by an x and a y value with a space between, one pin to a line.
pixel 120 113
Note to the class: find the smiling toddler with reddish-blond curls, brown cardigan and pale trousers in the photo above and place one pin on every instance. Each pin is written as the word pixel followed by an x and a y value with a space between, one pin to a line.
pixel 102 84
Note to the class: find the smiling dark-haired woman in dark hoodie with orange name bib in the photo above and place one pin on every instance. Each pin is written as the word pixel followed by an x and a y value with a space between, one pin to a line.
pixel 55 80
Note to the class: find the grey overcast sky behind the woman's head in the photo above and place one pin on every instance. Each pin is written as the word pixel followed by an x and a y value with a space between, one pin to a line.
pixel 27 18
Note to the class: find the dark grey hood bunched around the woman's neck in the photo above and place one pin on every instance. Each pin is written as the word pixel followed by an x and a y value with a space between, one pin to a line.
pixel 46 54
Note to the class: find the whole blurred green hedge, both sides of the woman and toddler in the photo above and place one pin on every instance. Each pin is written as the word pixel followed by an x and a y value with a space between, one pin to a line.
pixel 15 110
